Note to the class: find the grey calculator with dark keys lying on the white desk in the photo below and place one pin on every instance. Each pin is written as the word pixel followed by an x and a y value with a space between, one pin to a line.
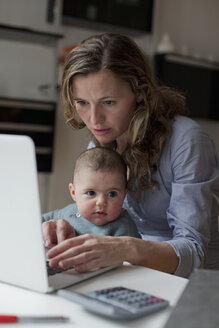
pixel 117 302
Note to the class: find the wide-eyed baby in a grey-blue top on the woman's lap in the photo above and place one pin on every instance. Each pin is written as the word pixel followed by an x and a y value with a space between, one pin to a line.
pixel 99 187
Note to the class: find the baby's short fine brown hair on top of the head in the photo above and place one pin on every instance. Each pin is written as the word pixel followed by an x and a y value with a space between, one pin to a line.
pixel 103 160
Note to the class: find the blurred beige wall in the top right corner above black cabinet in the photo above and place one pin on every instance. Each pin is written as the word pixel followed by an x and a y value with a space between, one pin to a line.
pixel 193 24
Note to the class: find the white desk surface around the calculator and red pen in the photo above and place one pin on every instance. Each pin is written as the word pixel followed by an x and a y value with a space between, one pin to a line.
pixel 14 300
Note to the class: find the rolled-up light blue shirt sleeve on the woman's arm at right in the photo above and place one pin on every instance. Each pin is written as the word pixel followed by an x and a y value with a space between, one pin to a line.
pixel 195 174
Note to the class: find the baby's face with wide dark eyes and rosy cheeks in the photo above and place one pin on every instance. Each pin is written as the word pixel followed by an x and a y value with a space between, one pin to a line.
pixel 99 196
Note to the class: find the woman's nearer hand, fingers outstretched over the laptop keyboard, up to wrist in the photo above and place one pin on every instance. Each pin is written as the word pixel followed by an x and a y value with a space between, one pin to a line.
pixel 89 252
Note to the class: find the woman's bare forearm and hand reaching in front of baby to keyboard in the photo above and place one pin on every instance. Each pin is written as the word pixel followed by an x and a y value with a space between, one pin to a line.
pixel 88 252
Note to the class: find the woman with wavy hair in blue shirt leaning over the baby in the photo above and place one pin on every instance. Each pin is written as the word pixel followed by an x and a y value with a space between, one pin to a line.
pixel 109 87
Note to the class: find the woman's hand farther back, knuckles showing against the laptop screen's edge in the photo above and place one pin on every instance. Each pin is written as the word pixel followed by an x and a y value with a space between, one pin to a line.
pixel 54 232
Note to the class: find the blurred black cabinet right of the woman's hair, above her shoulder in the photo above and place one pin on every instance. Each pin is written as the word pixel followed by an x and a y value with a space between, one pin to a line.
pixel 197 79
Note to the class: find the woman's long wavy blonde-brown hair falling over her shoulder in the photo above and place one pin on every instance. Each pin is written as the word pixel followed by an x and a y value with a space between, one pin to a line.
pixel 151 121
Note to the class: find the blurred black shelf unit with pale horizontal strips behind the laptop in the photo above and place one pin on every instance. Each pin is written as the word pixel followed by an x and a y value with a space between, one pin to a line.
pixel 32 118
